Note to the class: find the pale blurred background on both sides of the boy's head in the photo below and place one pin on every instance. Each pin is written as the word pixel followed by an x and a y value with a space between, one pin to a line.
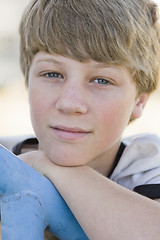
pixel 14 109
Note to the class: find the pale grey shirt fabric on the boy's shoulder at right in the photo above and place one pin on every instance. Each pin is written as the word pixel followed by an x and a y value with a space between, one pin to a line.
pixel 140 161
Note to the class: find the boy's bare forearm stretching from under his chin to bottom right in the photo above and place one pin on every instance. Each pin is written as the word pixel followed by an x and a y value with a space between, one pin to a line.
pixel 104 209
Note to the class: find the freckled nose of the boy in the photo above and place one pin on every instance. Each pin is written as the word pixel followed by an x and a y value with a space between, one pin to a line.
pixel 71 100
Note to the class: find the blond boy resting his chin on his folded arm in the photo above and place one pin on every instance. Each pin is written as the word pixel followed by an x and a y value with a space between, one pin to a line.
pixel 90 67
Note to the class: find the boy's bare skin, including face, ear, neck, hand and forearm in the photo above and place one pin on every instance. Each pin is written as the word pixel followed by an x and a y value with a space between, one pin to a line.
pixel 79 112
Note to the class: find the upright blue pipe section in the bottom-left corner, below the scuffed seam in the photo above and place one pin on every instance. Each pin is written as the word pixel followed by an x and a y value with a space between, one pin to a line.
pixel 22 217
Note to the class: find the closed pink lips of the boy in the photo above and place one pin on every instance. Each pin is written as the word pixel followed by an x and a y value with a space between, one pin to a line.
pixel 68 133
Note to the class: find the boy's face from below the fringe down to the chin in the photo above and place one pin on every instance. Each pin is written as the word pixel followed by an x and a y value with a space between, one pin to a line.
pixel 79 110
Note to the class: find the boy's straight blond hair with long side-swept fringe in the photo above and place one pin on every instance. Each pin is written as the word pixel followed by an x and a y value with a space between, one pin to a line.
pixel 123 32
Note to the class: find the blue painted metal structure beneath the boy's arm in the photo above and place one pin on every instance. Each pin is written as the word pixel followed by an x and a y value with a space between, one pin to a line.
pixel 29 203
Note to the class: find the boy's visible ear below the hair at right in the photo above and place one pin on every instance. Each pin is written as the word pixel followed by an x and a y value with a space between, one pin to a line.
pixel 140 103
